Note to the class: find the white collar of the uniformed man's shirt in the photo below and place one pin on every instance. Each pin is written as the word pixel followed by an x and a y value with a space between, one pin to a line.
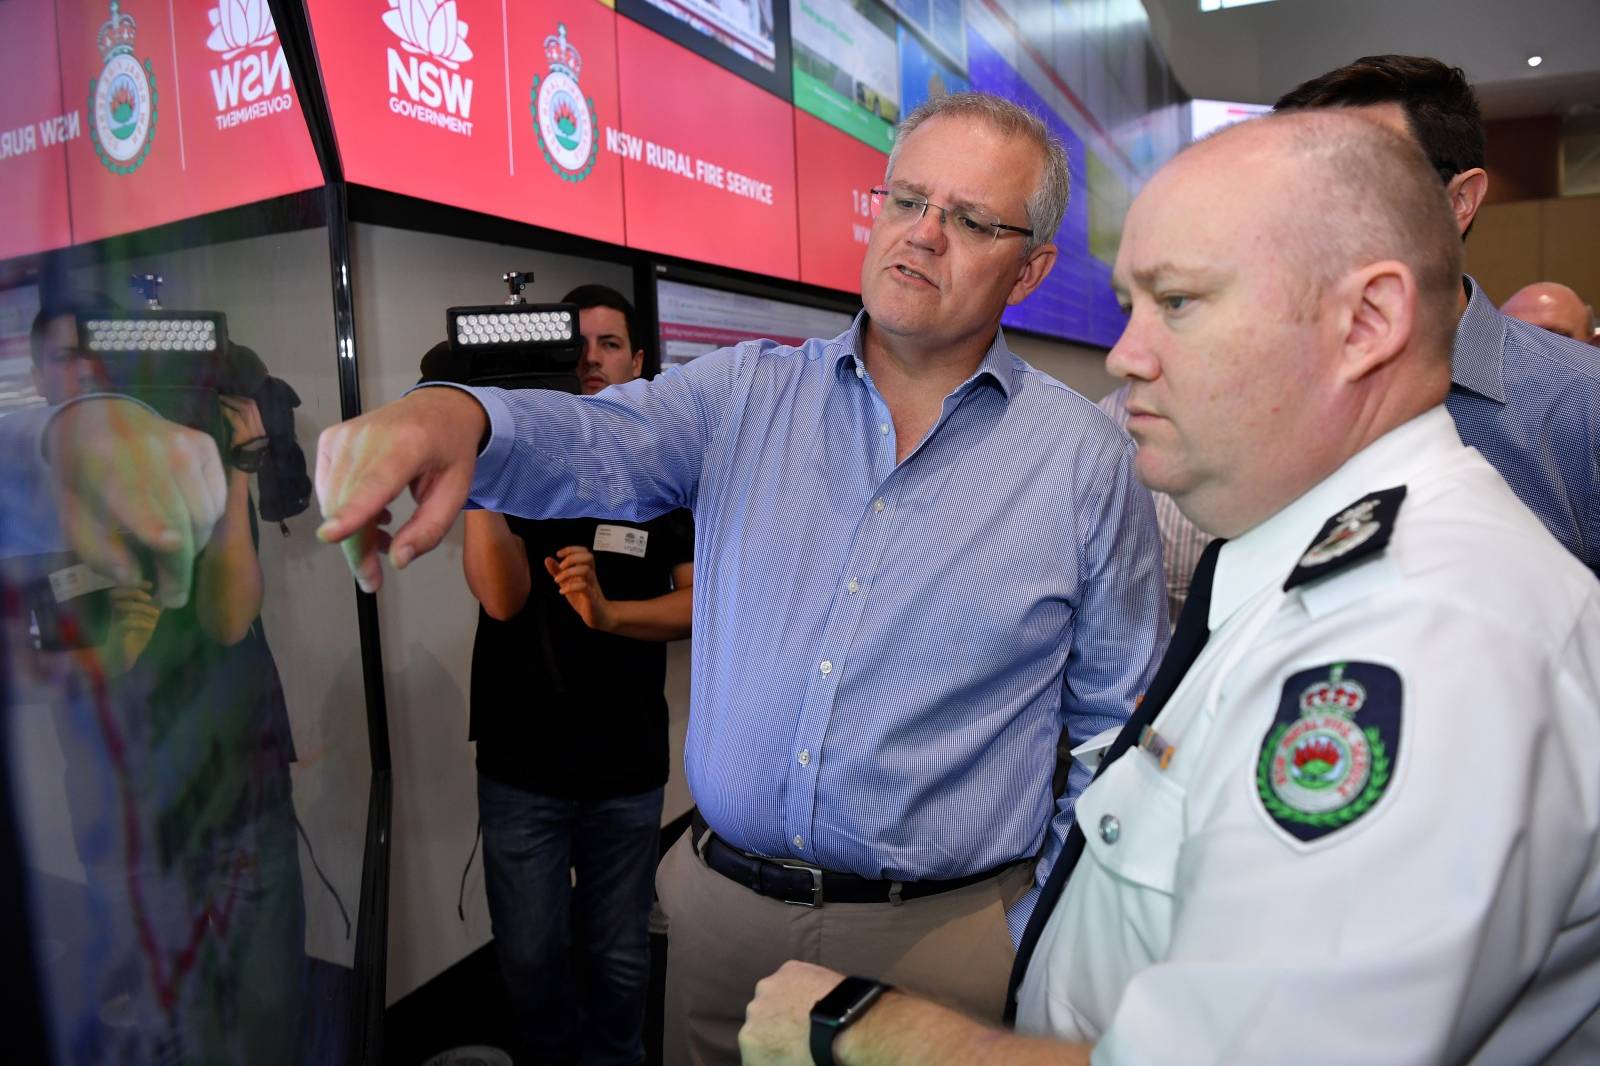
pixel 1266 555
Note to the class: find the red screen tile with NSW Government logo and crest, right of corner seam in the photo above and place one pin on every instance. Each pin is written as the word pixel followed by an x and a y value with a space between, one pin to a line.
pixel 490 106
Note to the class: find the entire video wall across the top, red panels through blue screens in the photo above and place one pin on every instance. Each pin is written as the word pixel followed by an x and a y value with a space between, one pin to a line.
pixel 742 134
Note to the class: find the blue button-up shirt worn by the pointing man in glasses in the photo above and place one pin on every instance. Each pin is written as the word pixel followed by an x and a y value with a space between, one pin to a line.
pixel 886 655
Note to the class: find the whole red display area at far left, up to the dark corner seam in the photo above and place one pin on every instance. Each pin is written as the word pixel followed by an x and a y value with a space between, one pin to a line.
pixel 129 114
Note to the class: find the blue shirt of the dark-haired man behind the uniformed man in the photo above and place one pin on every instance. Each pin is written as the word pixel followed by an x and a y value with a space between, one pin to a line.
pixel 1529 401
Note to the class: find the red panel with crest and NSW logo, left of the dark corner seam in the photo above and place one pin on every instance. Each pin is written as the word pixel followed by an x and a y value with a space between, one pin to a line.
pixel 178 110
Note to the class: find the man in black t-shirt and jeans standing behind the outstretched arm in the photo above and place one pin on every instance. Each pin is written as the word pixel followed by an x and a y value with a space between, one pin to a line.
pixel 572 727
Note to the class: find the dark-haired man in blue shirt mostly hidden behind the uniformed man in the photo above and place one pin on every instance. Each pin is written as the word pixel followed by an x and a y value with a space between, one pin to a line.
pixel 1527 399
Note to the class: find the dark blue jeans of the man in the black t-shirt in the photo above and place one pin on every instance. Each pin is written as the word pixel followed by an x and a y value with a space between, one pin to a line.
pixel 530 843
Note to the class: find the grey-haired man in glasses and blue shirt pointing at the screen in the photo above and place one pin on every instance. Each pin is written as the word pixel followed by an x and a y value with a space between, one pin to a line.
pixel 919 563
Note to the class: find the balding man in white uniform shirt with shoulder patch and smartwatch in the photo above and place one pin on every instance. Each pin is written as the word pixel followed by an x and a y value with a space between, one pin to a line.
pixel 1366 825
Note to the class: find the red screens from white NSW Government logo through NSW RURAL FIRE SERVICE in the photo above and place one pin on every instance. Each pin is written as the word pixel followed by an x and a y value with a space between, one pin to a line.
pixel 562 114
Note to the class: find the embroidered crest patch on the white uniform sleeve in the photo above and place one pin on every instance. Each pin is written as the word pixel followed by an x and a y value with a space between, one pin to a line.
pixel 1332 750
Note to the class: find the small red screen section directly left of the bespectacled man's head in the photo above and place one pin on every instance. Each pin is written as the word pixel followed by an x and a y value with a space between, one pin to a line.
pixel 838 174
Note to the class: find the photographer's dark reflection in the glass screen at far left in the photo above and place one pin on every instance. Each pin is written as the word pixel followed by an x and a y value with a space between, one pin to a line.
pixel 135 543
